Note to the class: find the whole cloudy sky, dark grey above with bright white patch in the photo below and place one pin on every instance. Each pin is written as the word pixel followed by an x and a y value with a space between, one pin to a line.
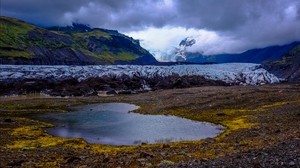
pixel 218 26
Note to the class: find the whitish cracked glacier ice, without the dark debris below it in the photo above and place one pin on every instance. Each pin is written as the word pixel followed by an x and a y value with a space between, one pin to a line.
pixel 232 73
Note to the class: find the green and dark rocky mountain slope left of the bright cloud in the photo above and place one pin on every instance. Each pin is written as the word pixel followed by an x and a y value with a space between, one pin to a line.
pixel 23 43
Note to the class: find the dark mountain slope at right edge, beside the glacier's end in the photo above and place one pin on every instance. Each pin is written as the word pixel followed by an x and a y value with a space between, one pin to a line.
pixel 287 67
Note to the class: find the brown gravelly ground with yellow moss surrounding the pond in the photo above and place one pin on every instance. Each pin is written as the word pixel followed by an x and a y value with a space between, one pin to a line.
pixel 254 117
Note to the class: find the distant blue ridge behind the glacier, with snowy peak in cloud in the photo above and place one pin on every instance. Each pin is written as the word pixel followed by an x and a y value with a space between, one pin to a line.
pixel 251 56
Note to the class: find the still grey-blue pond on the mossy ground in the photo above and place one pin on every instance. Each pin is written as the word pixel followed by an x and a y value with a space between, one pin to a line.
pixel 115 124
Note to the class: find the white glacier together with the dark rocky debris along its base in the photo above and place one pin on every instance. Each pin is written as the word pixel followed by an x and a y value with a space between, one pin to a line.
pixel 90 80
